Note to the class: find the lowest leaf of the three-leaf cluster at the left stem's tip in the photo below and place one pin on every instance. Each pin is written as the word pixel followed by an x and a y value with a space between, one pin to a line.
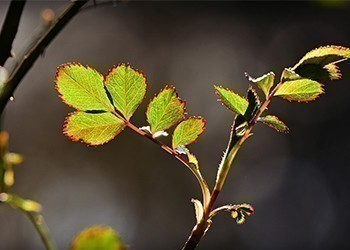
pixel 93 129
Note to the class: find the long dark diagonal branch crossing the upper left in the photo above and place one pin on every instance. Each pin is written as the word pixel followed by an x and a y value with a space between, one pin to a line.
pixel 34 52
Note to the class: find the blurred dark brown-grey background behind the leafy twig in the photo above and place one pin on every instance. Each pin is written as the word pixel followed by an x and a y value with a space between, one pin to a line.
pixel 298 183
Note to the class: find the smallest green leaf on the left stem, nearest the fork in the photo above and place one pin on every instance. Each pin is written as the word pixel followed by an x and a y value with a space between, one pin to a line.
pixel 188 131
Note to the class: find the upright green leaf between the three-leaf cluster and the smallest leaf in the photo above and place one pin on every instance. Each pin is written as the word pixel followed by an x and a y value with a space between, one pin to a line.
pixel 165 110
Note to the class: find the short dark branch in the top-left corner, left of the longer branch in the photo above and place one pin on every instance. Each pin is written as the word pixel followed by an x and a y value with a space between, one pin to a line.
pixel 9 29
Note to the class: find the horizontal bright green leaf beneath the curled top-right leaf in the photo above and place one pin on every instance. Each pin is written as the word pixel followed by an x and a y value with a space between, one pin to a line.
pixel 301 90
